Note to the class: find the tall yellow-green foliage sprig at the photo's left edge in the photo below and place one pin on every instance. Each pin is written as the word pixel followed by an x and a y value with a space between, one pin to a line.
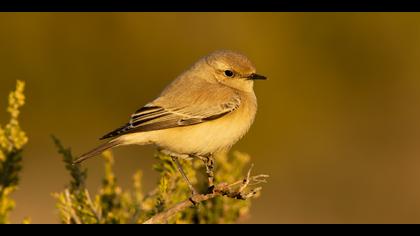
pixel 12 140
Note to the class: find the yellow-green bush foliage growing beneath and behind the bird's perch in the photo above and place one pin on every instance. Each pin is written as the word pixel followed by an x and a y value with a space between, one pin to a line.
pixel 114 205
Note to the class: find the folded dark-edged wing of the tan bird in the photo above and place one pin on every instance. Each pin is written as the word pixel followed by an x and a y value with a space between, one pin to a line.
pixel 156 117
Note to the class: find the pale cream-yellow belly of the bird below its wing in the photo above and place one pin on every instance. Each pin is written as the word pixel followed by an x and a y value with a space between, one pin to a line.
pixel 207 137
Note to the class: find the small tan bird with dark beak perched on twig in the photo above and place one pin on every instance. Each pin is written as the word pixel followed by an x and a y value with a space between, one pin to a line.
pixel 207 109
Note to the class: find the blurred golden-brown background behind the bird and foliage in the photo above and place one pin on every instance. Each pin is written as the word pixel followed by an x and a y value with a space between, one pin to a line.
pixel 338 126
